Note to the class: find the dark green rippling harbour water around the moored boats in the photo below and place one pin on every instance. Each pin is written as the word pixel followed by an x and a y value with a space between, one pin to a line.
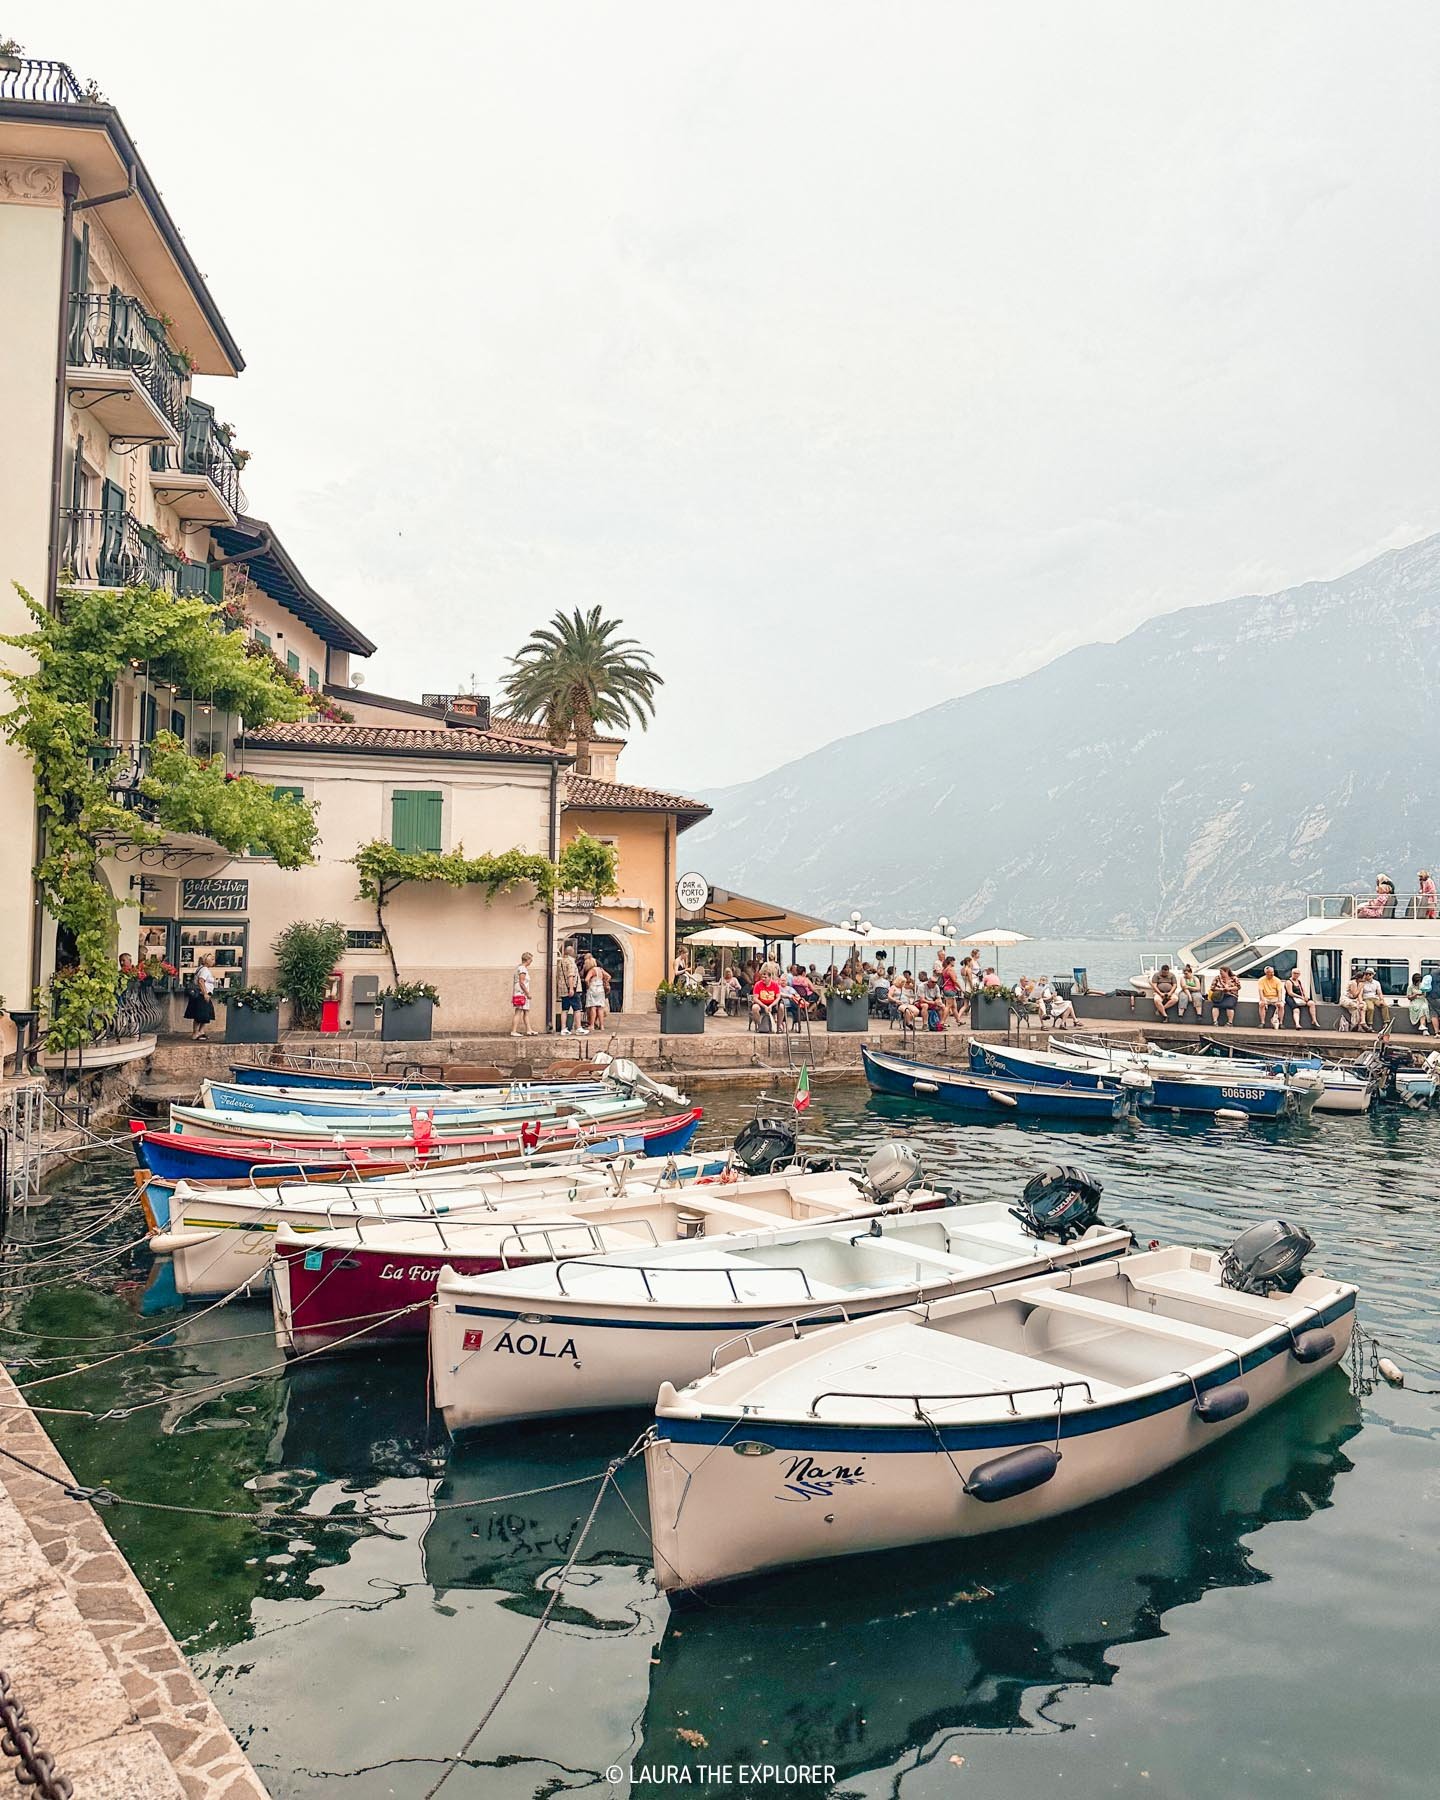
pixel 1261 1623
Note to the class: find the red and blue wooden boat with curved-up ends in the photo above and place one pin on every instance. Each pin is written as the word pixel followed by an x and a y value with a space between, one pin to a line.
pixel 186 1156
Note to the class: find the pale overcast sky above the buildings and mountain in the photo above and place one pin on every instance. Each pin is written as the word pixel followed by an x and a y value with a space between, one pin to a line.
pixel 856 355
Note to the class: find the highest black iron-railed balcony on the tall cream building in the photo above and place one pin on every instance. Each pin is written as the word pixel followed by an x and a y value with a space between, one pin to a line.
pixel 121 372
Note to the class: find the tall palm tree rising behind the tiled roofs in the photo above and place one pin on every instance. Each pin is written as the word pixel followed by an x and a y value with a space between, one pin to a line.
pixel 577 676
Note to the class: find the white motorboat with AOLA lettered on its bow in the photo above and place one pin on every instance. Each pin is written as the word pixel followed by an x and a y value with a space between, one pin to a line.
pixel 607 1331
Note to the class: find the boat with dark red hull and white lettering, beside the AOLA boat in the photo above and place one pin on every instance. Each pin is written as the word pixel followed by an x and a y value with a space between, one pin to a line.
pixel 348 1286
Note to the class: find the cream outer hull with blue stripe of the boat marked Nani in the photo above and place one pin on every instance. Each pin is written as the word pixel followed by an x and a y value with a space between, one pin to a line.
pixel 807 1491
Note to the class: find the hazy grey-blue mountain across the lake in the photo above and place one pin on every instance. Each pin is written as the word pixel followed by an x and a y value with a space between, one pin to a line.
pixel 1216 764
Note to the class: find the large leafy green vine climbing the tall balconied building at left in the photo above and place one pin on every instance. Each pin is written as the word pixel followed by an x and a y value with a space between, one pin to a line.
pixel 75 656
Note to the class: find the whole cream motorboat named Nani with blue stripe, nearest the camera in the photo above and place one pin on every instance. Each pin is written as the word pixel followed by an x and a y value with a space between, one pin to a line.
pixel 982 1412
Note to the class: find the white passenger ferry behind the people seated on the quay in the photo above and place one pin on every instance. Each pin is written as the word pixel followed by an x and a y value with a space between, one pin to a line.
pixel 1329 946
